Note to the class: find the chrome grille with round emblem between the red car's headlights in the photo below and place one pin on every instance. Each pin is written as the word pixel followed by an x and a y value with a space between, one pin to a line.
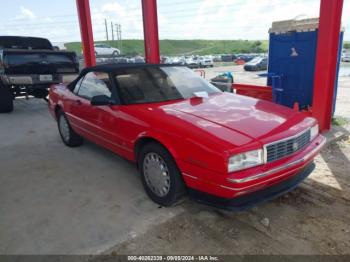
pixel 287 147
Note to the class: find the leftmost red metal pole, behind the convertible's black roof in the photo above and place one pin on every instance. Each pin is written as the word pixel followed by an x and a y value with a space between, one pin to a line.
pixel 87 37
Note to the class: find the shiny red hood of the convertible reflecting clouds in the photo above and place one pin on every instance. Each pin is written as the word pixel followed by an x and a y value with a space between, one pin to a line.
pixel 253 118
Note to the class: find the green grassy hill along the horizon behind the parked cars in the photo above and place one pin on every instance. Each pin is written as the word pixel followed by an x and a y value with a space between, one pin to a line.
pixel 186 47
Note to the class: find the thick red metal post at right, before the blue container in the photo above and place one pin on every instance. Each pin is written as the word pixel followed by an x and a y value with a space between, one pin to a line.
pixel 326 61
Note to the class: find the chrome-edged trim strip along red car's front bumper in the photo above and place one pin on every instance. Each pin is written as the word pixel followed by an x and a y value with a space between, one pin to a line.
pixel 280 168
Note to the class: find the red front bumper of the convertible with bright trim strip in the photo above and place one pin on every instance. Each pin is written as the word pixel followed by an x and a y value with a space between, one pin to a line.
pixel 251 180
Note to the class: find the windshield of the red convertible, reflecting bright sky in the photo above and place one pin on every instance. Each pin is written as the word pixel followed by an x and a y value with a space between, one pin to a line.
pixel 159 84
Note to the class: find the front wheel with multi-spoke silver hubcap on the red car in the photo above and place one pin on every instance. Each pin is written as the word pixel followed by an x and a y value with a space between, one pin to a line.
pixel 152 158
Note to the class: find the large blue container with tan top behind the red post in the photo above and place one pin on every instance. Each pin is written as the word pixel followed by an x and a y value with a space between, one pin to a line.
pixel 292 55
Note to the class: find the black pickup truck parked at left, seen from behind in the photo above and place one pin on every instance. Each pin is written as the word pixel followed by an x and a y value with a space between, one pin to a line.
pixel 28 66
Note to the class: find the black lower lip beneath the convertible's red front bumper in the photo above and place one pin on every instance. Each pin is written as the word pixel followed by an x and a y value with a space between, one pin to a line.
pixel 246 201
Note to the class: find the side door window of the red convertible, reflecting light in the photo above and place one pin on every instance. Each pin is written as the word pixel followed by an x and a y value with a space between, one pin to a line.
pixel 95 84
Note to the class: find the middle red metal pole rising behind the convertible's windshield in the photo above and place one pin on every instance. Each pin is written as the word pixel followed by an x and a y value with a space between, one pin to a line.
pixel 150 30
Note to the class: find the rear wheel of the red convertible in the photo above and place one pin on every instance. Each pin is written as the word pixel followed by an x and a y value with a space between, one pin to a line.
pixel 68 135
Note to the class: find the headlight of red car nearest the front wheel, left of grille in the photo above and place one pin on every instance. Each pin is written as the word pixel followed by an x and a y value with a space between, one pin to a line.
pixel 245 160
